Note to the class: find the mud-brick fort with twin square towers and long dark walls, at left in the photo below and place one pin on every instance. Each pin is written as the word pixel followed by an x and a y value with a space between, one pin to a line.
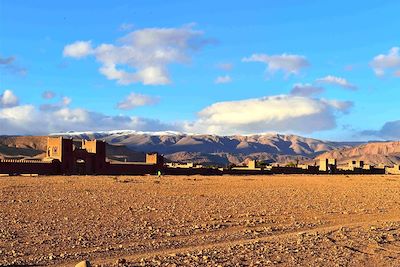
pixel 89 158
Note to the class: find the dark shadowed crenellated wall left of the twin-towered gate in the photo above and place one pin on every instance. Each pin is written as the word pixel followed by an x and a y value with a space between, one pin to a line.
pixel 29 167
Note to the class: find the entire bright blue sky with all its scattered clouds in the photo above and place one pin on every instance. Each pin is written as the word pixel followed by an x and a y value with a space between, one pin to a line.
pixel 220 68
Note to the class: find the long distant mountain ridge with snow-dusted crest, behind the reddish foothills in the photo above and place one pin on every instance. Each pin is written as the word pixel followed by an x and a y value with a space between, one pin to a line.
pixel 214 149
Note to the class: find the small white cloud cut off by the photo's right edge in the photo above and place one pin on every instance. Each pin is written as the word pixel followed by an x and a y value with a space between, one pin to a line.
pixel 382 62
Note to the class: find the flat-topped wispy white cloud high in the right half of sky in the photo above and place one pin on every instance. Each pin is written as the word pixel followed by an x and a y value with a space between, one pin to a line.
pixel 289 64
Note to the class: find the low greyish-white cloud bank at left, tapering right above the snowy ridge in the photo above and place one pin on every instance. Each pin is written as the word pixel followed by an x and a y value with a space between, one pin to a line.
pixel 27 119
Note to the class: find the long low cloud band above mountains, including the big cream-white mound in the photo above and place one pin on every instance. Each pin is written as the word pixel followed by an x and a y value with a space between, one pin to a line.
pixel 284 113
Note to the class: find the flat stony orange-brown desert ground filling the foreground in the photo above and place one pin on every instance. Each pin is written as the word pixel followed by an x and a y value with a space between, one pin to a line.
pixel 286 220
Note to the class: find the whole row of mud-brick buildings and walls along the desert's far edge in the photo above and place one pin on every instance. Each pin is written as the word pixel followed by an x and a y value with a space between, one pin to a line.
pixel 64 158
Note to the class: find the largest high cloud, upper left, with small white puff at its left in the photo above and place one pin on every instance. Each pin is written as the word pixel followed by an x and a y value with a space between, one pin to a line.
pixel 142 55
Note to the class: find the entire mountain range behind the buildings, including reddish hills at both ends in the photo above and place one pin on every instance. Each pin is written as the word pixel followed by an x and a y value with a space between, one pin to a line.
pixel 126 145
